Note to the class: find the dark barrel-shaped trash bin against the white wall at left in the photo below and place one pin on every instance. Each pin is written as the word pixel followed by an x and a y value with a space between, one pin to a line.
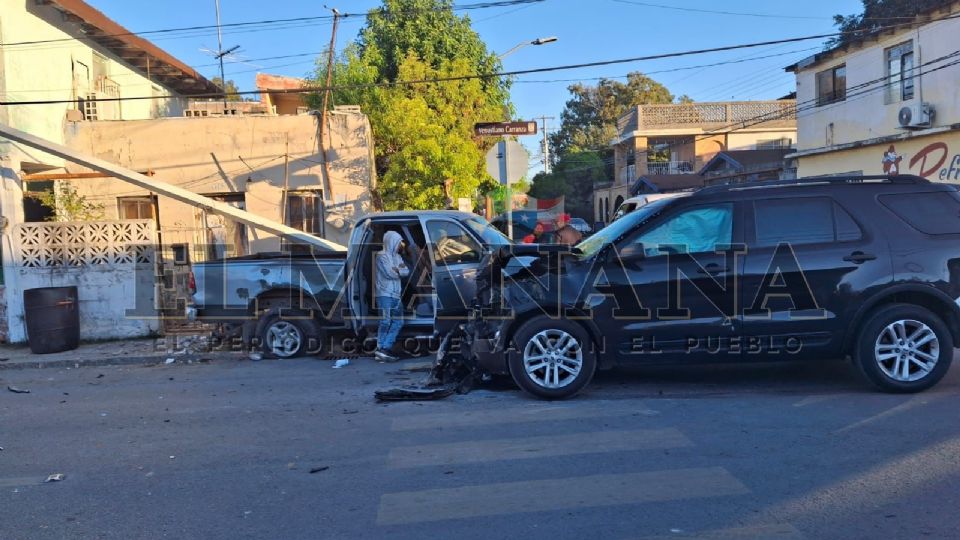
pixel 53 319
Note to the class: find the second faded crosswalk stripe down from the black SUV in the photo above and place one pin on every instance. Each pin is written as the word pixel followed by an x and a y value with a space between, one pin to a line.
pixel 535 447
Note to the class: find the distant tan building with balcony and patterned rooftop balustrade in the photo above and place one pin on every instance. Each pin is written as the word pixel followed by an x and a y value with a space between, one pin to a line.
pixel 681 138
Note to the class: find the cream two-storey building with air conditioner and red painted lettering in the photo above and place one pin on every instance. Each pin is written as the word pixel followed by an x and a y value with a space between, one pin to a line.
pixel 885 104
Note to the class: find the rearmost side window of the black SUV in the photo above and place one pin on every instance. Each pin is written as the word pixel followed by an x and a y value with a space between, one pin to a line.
pixel 929 213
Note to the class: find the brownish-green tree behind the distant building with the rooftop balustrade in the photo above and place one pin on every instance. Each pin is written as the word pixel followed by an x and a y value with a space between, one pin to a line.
pixel 589 118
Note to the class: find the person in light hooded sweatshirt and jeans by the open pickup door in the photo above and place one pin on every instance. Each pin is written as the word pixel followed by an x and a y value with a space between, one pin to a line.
pixel 390 268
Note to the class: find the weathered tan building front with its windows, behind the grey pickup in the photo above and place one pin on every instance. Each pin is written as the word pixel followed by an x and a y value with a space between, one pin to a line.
pixel 272 166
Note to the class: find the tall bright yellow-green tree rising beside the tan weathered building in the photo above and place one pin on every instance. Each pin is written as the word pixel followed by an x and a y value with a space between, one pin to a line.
pixel 423 132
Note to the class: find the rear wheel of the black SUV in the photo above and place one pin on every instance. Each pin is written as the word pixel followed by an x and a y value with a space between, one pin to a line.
pixel 904 348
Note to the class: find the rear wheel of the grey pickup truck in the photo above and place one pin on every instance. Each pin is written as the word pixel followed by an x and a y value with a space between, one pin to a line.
pixel 288 334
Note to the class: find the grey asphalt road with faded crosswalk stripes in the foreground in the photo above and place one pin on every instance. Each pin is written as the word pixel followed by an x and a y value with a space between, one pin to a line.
pixel 295 449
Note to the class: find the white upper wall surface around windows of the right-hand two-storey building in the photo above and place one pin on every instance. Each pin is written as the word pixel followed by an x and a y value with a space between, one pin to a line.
pixel 867 115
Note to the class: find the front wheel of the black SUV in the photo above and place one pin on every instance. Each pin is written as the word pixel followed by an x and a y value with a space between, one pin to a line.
pixel 552 358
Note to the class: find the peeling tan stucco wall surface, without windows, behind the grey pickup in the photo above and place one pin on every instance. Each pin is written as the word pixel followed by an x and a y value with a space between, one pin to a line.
pixel 219 155
